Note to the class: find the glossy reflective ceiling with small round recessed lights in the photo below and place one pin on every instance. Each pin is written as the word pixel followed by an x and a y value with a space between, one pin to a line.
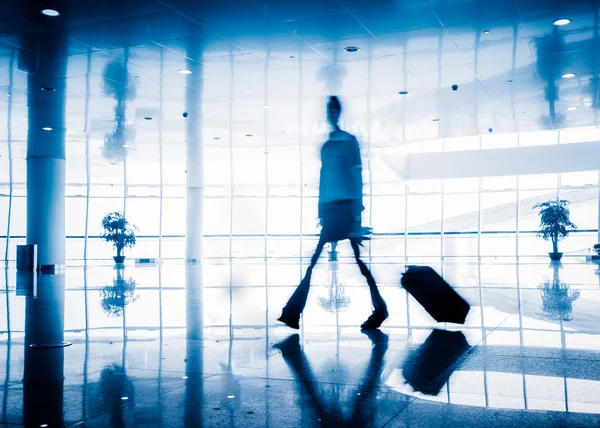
pixel 506 58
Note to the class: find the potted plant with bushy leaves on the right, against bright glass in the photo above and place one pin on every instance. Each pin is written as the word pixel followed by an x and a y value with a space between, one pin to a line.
pixel 555 223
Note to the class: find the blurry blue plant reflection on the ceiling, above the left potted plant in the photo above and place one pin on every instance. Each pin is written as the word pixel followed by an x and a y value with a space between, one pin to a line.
pixel 119 84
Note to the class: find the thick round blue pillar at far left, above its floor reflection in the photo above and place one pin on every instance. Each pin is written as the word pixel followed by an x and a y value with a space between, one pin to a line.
pixel 43 58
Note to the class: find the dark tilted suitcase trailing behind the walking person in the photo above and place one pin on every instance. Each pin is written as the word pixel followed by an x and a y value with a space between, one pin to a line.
pixel 435 295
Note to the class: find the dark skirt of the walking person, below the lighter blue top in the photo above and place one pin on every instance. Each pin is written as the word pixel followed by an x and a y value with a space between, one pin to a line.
pixel 339 222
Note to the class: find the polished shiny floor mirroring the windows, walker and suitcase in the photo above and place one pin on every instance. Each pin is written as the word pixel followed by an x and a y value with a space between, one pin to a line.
pixel 160 346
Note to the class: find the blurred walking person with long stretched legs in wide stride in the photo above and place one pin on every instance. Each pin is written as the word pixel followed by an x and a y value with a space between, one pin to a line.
pixel 340 208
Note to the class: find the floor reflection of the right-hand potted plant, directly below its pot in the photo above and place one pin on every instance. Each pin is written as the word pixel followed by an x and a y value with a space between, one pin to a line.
pixel 557 297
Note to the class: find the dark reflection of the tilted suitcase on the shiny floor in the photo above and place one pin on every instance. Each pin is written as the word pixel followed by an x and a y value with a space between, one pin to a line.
pixel 429 367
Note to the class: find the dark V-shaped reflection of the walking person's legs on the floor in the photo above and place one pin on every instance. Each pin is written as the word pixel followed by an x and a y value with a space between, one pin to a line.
pixel 364 408
